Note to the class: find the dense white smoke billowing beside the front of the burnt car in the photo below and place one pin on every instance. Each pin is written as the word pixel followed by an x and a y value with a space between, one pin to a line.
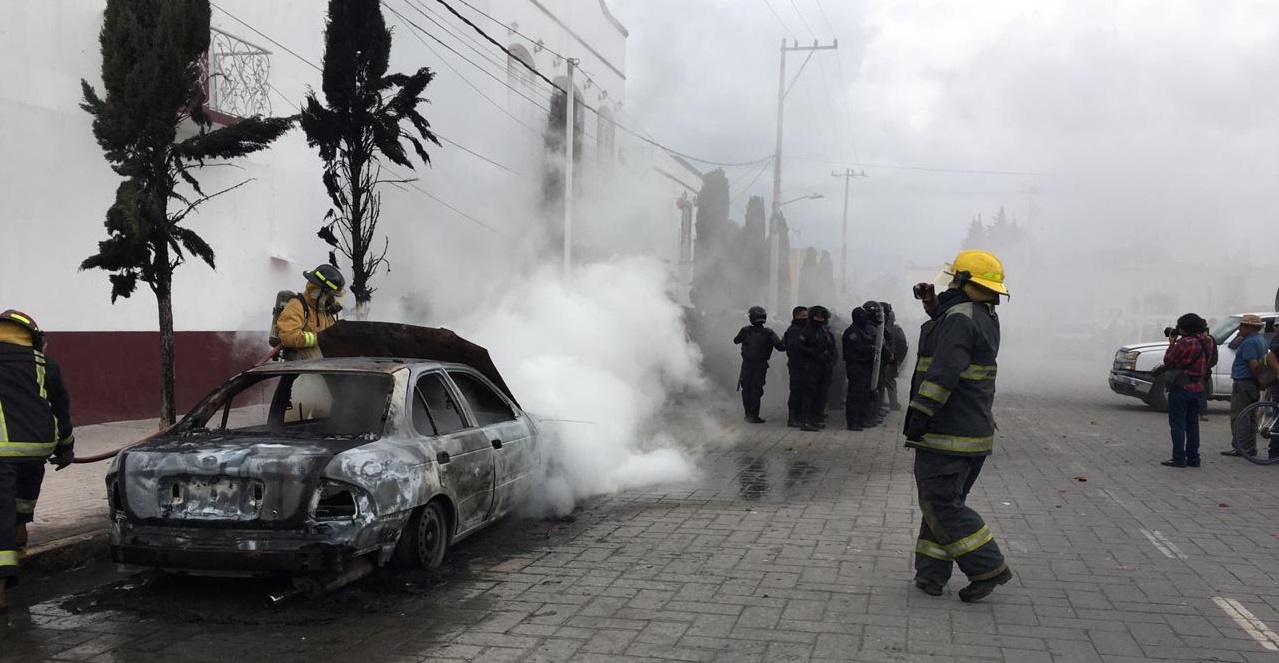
pixel 598 358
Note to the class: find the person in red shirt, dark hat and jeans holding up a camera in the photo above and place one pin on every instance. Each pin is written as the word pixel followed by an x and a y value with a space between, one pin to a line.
pixel 1190 354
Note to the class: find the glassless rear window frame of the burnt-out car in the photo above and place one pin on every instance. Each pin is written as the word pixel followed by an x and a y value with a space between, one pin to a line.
pixel 217 408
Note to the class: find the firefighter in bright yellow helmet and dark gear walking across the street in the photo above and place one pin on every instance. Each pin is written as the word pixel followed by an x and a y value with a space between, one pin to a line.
pixel 951 426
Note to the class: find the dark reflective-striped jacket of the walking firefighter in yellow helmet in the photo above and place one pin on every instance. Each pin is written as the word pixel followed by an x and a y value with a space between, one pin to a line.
pixel 955 377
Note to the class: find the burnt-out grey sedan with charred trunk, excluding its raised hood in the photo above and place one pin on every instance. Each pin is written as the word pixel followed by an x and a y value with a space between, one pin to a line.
pixel 305 467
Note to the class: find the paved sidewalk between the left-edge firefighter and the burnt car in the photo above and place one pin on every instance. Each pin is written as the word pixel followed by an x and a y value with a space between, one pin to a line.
pixel 74 502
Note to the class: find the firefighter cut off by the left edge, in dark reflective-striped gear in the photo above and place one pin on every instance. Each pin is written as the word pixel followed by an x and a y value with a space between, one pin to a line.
pixel 35 426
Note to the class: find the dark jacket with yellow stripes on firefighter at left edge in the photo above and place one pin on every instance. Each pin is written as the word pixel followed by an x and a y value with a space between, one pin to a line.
pixel 35 409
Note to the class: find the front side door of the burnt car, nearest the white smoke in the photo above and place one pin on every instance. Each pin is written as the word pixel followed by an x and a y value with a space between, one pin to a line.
pixel 507 432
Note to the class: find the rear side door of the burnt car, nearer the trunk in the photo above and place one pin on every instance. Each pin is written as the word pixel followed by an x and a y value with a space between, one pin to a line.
pixel 464 451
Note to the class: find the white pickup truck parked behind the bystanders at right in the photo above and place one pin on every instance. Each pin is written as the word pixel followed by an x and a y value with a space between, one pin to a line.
pixel 1139 369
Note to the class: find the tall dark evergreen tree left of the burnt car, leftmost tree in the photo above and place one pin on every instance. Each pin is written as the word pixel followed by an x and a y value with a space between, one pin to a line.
pixel 152 79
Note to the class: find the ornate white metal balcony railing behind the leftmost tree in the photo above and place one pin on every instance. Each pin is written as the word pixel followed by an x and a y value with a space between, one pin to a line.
pixel 237 79
